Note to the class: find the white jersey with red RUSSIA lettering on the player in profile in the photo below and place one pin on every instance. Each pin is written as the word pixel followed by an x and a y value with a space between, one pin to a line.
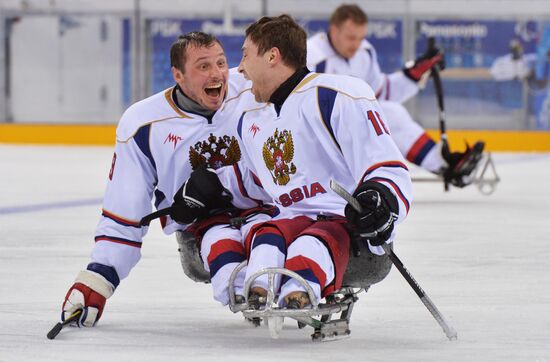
pixel 329 127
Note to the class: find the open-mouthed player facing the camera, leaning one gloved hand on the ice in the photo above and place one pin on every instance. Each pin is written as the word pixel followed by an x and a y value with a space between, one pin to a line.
pixel 159 142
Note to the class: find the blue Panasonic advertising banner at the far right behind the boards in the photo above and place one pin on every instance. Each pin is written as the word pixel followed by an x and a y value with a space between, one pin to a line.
pixel 491 71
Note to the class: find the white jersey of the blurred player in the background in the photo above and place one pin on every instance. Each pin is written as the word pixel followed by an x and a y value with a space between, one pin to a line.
pixel 323 58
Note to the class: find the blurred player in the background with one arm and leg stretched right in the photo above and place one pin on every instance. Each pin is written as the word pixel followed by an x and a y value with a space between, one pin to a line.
pixel 344 50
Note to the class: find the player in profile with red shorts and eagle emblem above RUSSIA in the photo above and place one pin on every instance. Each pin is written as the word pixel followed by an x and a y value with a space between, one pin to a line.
pixel 314 128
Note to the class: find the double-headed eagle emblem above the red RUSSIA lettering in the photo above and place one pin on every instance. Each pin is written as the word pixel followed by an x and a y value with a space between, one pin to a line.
pixel 278 152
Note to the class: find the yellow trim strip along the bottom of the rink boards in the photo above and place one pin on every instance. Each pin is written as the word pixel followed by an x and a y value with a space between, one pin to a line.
pixel 523 141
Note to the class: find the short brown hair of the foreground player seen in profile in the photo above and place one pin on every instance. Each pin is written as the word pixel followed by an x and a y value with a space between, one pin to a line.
pixel 281 32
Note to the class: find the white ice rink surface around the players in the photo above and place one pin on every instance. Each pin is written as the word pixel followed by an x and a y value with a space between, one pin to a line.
pixel 483 260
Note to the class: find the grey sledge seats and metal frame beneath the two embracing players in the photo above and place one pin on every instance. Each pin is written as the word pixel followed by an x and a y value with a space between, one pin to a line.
pixel 360 274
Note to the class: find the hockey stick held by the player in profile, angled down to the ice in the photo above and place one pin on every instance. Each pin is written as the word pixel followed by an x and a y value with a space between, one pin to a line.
pixel 449 331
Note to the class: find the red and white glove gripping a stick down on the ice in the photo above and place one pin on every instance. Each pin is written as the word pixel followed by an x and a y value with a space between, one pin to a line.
pixel 88 293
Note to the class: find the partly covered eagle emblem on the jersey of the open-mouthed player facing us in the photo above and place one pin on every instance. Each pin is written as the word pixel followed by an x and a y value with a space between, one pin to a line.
pixel 215 152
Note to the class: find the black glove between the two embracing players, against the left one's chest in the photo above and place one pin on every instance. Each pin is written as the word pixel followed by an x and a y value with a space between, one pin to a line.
pixel 201 194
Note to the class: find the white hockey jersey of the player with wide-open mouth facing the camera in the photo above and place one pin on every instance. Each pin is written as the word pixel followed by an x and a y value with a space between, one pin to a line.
pixel 157 147
